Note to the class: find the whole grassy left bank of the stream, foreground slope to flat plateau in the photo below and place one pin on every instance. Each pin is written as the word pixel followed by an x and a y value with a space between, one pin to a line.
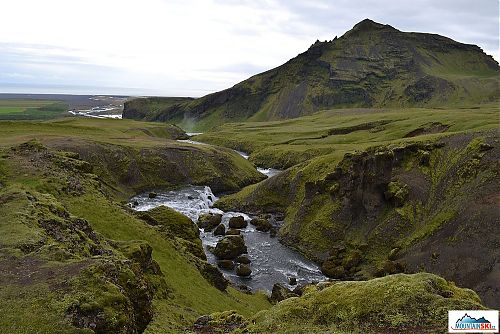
pixel 73 256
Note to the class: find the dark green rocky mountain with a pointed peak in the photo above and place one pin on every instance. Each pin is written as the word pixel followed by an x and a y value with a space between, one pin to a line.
pixel 371 65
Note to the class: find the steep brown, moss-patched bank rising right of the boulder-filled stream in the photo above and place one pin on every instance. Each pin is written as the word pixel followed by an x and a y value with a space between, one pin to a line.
pixel 395 198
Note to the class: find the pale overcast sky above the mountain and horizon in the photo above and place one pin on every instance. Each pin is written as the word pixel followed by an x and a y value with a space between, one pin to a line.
pixel 194 47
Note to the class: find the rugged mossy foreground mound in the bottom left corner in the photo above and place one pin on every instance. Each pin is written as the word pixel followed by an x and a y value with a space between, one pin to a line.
pixel 52 265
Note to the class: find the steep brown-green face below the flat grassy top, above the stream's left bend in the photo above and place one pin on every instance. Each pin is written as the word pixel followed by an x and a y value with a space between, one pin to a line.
pixel 130 170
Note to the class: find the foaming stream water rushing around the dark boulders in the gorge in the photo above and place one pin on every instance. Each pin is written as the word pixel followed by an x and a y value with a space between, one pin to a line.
pixel 272 262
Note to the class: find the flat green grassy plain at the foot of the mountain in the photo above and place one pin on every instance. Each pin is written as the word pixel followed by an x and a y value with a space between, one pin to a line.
pixel 281 144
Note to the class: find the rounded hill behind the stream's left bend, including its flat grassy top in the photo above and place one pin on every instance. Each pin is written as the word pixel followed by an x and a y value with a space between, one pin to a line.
pixel 131 157
